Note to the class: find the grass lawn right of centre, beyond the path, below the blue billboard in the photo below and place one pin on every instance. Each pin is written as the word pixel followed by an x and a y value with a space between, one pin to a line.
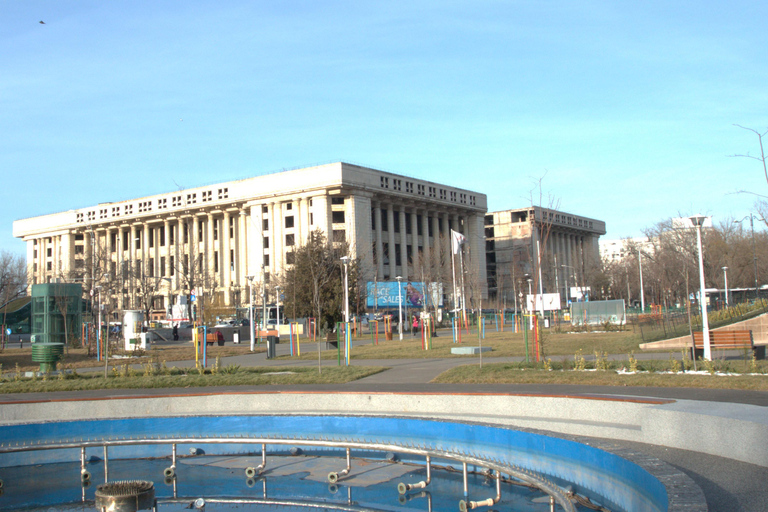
pixel 504 344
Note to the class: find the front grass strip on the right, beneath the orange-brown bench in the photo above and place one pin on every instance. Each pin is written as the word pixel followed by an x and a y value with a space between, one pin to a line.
pixel 501 373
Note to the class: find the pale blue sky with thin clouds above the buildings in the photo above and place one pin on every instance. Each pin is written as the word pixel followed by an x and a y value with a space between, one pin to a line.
pixel 625 109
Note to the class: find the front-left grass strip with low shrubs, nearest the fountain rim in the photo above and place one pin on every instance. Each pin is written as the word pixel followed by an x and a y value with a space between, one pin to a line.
pixel 161 377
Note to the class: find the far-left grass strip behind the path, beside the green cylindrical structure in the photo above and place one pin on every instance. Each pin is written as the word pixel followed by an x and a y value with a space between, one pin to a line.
pixel 78 358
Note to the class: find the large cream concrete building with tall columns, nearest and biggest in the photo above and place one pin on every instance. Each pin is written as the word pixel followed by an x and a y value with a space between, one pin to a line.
pixel 251 227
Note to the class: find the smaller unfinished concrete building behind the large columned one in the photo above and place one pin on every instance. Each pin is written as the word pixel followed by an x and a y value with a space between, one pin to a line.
pixel 568 244
